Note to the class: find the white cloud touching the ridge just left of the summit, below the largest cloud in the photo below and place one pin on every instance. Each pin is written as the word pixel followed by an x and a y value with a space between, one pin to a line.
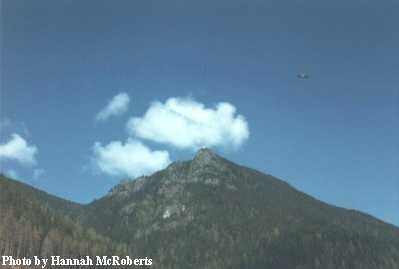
pixel 131 159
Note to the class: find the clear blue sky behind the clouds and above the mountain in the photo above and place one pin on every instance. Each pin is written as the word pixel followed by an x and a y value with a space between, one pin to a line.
pixel 334 135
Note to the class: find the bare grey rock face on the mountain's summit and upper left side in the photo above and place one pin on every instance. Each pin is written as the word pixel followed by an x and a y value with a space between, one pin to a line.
pixel 163 201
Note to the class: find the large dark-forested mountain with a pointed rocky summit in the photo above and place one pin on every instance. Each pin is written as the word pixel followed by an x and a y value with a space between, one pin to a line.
pixel 211 213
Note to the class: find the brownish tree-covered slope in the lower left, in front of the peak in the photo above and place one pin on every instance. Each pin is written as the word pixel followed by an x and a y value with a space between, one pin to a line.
pixel 33 222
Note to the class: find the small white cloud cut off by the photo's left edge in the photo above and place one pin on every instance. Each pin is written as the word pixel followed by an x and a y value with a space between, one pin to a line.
pixel 17 149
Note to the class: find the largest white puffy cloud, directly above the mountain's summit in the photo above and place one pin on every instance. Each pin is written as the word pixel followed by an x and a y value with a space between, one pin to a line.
pixel 186 123
